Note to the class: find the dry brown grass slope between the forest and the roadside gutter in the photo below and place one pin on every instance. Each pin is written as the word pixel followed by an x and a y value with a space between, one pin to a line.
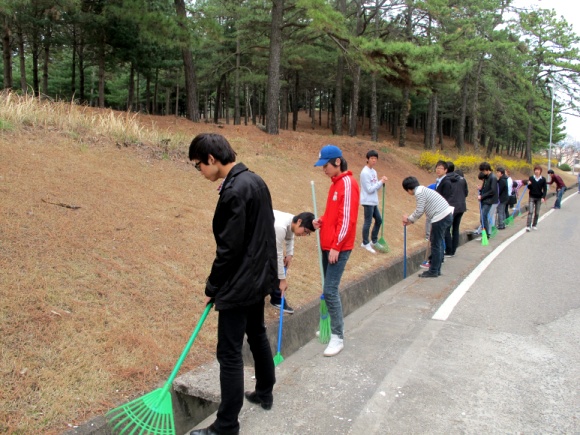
pixel 97 302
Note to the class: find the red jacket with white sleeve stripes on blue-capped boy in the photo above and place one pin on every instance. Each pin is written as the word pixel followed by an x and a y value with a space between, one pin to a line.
pixel 338 224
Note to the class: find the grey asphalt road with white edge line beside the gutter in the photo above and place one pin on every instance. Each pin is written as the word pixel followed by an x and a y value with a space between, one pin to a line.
pixel 506 359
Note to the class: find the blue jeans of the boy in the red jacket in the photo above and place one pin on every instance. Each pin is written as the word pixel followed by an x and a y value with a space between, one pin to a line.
pixel 332 276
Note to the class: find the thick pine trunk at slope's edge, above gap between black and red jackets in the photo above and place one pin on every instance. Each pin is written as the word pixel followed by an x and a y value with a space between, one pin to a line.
pixel 273 91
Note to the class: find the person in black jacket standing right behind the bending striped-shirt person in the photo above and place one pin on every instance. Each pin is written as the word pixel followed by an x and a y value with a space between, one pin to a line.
pixel 453 188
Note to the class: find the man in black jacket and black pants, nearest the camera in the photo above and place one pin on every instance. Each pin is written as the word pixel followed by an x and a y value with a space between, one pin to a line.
pixel 243 272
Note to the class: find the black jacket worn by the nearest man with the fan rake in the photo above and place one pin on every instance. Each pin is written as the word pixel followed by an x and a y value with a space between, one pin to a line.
pixel 245 267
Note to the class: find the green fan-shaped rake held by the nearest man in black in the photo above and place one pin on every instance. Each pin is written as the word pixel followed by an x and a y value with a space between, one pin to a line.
pixel 152 414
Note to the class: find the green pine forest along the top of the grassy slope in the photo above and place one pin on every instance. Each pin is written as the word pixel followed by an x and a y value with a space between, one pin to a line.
pixel 478 71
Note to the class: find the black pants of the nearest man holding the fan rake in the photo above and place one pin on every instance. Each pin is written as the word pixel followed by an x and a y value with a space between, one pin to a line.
pixel 232 325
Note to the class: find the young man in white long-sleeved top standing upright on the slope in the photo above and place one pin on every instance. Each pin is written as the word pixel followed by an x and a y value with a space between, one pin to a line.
pixel 369 199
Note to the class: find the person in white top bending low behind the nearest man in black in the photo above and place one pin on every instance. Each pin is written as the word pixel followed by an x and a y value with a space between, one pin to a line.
pixel 286 227
